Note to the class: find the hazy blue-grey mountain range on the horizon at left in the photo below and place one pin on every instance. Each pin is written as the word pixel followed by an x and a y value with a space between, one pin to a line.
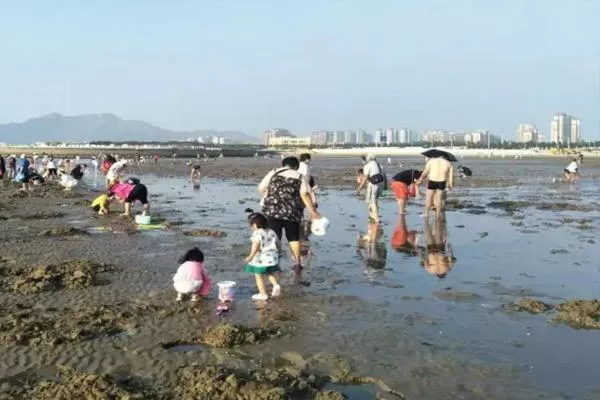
pixel 95 127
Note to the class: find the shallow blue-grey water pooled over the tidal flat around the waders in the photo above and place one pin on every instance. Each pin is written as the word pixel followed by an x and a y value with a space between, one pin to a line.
pixel 500 257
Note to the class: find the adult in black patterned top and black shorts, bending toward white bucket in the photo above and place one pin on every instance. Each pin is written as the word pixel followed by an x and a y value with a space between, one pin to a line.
pixel 285 191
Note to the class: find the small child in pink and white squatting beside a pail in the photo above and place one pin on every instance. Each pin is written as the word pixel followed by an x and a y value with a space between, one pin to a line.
pixel 191 277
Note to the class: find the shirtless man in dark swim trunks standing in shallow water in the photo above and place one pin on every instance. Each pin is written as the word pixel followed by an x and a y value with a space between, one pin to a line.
pixel 440 175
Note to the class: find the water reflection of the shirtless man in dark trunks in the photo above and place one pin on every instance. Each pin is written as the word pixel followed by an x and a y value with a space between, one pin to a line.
pixel 438 257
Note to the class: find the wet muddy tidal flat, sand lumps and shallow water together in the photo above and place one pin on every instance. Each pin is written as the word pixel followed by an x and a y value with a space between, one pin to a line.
pixel 103 303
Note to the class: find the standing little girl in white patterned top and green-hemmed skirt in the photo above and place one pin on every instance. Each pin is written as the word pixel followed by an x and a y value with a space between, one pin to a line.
pixel 264 256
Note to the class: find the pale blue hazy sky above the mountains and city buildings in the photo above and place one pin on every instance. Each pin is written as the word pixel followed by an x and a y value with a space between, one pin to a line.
pixel 304 65
